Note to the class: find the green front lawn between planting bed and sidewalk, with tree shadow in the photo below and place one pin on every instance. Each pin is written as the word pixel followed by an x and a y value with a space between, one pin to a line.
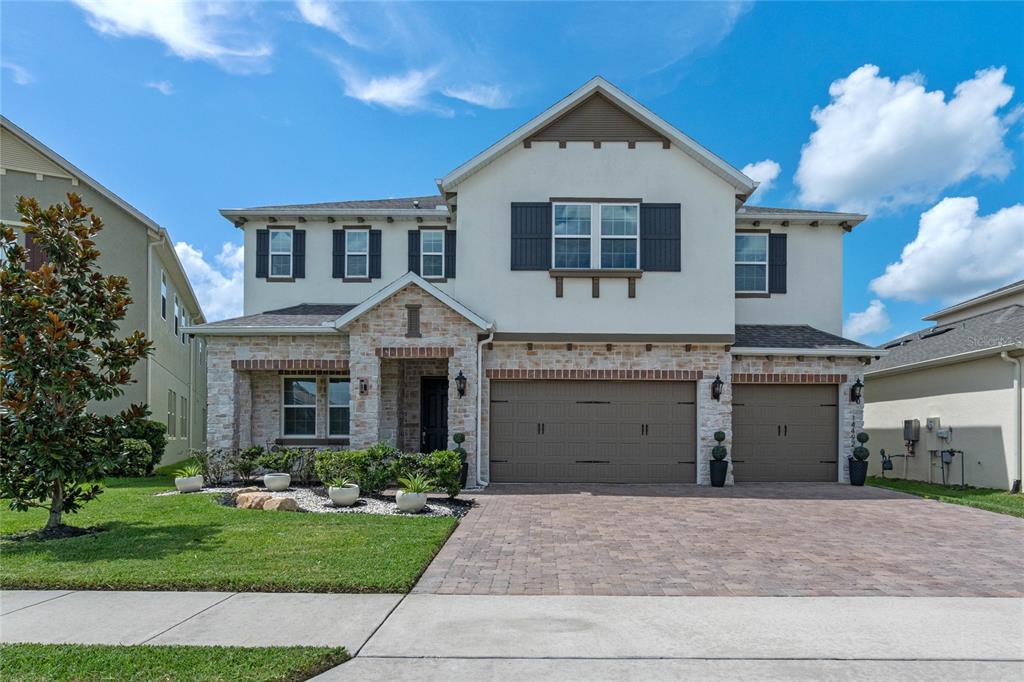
pixel 191 542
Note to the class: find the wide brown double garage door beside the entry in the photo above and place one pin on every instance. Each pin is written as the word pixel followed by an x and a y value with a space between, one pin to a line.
pixel 593 432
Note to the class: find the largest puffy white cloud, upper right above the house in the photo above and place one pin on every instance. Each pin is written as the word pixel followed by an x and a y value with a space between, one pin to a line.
pixel 882 144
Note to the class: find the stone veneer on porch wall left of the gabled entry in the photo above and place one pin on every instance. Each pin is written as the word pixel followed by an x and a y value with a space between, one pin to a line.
pixel 233 421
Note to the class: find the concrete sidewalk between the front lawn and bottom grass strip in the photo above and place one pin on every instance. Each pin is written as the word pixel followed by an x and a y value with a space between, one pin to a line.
pixel 193 618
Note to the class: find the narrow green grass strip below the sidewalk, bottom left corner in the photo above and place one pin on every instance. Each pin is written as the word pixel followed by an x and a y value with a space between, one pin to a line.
pixel 67 663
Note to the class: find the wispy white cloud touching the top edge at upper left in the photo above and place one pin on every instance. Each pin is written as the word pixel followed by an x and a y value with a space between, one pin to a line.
pixel 193 30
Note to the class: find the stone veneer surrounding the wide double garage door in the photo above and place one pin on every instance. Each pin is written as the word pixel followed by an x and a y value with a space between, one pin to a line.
pixel 709 360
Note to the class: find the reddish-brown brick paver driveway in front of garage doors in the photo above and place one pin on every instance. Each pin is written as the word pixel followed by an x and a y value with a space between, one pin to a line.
pixel 754 540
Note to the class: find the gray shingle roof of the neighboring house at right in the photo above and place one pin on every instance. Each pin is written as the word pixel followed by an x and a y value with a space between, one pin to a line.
pixel 990 330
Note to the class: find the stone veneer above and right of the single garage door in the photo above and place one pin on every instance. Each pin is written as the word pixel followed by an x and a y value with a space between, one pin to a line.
pixel 851 415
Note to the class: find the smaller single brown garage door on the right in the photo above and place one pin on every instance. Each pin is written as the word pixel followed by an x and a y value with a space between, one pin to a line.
pixel 785 434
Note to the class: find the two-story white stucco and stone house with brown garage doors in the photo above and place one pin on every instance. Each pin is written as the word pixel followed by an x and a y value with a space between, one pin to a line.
pixel 573 302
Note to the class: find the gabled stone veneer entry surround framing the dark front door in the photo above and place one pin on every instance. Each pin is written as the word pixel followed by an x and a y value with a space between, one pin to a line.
pixel 386 327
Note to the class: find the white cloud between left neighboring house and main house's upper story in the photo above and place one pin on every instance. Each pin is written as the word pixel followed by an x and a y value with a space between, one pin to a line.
pixel 218 285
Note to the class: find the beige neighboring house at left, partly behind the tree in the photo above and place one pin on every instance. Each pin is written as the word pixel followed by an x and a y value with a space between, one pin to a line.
pixel 173 380
